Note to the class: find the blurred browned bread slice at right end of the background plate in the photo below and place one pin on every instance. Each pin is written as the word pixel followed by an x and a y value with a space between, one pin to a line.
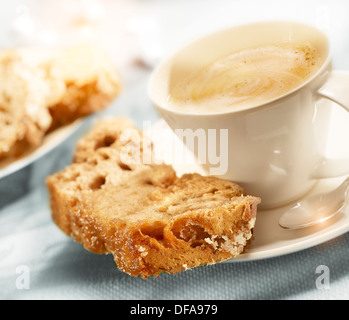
pixel 90 80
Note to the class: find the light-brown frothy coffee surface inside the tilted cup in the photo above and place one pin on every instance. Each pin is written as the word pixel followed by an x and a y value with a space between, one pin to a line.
pixel 246 78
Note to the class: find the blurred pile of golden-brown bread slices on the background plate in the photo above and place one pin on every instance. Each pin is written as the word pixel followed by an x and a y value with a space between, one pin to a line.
pixel 42 89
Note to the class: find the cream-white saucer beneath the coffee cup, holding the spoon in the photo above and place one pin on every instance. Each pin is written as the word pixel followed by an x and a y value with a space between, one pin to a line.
pixel 269 239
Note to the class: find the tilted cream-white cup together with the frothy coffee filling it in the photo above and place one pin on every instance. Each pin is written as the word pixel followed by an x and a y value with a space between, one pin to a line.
pixel 269 107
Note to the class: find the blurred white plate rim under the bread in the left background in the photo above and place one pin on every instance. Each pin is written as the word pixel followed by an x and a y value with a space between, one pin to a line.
pixel 50 142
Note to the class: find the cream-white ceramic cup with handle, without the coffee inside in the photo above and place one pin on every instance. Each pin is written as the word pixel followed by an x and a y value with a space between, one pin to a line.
pixel 272 147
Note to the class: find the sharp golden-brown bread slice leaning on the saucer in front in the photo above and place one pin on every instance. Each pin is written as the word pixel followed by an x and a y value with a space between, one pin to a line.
pixel 151 220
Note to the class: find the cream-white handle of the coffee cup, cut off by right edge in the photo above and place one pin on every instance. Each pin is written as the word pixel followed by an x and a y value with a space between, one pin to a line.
pixel 335 89
